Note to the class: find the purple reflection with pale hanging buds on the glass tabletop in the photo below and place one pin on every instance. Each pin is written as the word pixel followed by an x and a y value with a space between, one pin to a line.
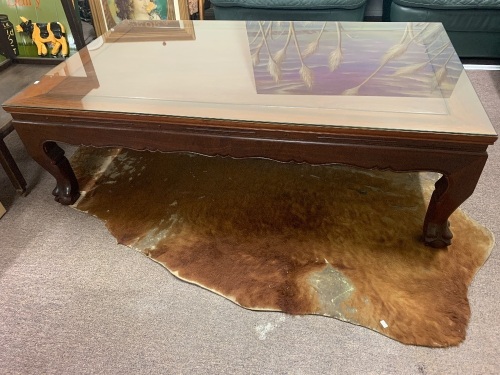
pixel 335 58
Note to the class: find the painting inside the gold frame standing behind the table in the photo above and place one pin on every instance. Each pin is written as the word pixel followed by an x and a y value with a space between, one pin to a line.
pixel 137 10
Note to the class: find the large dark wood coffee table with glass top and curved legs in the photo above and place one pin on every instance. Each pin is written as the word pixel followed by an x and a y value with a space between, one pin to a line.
pixel 391 96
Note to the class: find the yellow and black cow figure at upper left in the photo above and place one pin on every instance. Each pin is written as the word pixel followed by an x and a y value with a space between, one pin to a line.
pixel 52 33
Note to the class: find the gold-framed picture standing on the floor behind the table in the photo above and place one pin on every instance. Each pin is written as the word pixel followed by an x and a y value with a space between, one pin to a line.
pixel 107 14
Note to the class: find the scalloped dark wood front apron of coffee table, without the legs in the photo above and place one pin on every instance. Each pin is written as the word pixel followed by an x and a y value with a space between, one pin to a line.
pixel 311 145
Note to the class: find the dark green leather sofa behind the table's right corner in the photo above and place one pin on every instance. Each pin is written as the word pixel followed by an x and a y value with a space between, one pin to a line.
pixel 473 26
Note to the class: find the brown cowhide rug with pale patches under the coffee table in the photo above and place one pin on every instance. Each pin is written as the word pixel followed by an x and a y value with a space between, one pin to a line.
pixel 327 240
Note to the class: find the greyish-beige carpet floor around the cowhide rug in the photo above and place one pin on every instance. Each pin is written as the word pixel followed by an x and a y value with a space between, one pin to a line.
pixel 72 301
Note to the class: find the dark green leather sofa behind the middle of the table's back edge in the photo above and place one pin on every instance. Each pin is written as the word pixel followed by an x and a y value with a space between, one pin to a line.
pixel 285 10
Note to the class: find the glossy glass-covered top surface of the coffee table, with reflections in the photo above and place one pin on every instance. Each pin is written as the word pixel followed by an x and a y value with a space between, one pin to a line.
pixel 370 75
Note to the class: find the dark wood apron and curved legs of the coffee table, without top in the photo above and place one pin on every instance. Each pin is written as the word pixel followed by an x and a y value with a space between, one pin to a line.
pixel 460 158
